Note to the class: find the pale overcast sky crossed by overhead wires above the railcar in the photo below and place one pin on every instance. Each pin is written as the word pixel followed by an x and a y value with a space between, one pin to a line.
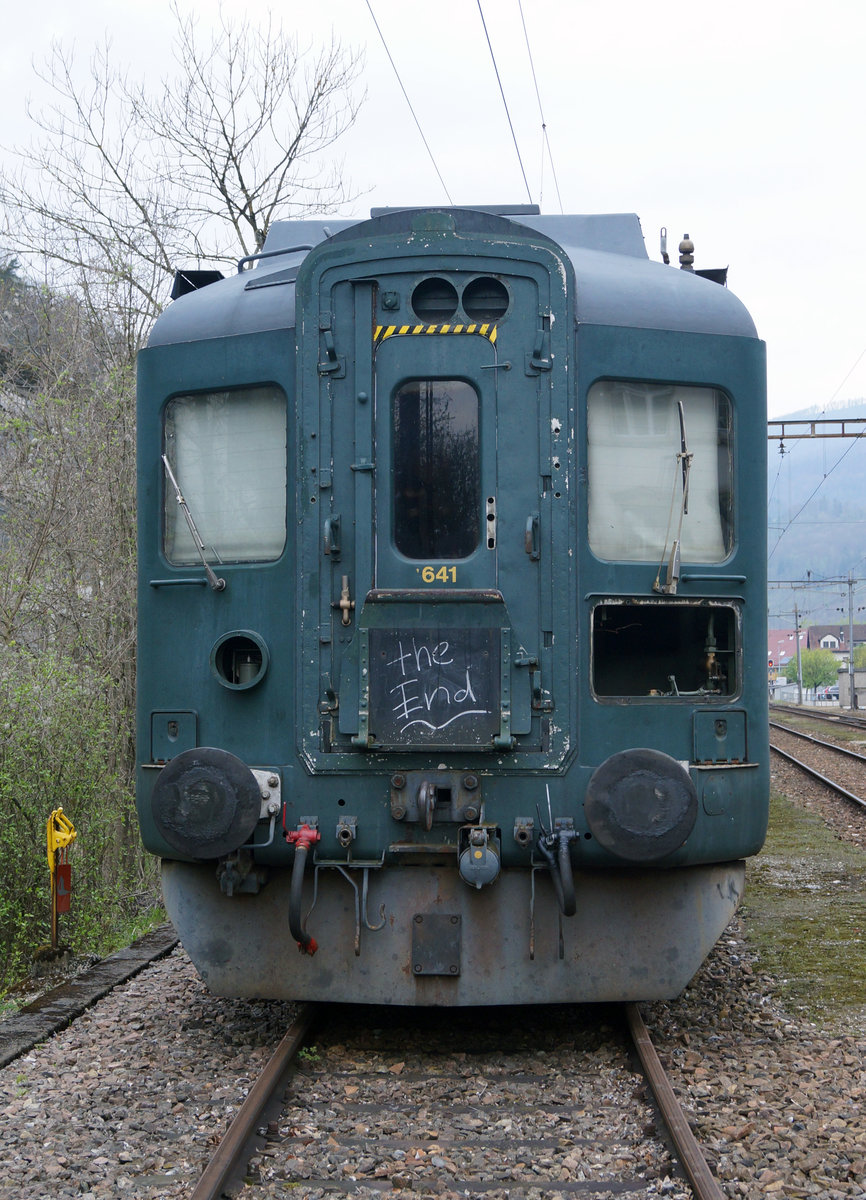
pixel 741 124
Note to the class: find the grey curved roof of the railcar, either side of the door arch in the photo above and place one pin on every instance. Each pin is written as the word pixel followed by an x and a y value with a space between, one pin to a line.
pixel 617 284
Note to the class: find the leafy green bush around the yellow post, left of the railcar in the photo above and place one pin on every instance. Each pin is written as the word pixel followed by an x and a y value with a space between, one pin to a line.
pixel 61 741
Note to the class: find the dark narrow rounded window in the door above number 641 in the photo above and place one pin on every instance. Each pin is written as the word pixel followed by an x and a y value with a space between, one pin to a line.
pixel 436 470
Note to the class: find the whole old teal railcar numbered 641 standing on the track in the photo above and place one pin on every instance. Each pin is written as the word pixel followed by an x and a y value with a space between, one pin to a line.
pixel 453 613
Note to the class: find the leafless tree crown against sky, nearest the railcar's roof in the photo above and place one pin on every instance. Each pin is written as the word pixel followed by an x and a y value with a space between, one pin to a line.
pixel 249 128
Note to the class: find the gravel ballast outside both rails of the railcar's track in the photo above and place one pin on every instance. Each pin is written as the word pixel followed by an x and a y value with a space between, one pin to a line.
pixel 130 1099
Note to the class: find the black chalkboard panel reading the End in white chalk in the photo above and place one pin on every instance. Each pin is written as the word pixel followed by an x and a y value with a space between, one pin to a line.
pixel 435 687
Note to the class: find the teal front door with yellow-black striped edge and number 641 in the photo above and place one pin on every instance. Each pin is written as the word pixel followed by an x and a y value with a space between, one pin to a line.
pixel 438 447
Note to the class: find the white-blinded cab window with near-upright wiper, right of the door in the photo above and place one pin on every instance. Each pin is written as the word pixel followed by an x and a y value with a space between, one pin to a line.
pixel 658 453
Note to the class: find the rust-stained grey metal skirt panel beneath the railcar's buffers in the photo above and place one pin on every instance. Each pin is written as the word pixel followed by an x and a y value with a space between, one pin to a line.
pixel 638 935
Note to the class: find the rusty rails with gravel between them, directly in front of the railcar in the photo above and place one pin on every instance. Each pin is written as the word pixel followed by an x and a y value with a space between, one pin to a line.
pixel 518 1103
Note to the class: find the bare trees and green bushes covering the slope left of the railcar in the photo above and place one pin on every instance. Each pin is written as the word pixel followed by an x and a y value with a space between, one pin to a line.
pixel 123 184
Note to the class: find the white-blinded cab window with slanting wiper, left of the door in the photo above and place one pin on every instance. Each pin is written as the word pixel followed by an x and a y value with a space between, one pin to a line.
pixel 227 451
